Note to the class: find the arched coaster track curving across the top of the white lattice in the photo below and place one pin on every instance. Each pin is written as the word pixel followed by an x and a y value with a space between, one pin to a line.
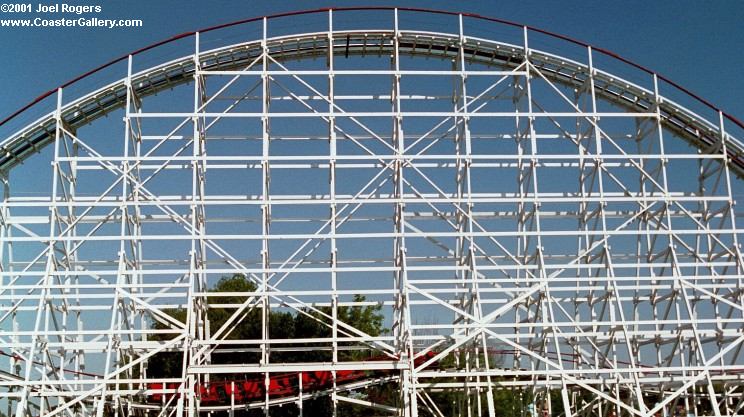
pixel 103 101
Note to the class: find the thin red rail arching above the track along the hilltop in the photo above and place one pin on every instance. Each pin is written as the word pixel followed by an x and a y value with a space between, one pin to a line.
pixel 377 8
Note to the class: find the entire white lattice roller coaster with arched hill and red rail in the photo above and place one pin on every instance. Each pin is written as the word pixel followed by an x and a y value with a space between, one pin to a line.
pixel 526 213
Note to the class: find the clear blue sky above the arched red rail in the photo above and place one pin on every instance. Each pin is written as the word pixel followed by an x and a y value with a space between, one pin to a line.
pixel 699 44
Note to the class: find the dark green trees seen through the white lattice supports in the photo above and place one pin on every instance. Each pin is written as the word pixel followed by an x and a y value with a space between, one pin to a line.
pixel 307 324
